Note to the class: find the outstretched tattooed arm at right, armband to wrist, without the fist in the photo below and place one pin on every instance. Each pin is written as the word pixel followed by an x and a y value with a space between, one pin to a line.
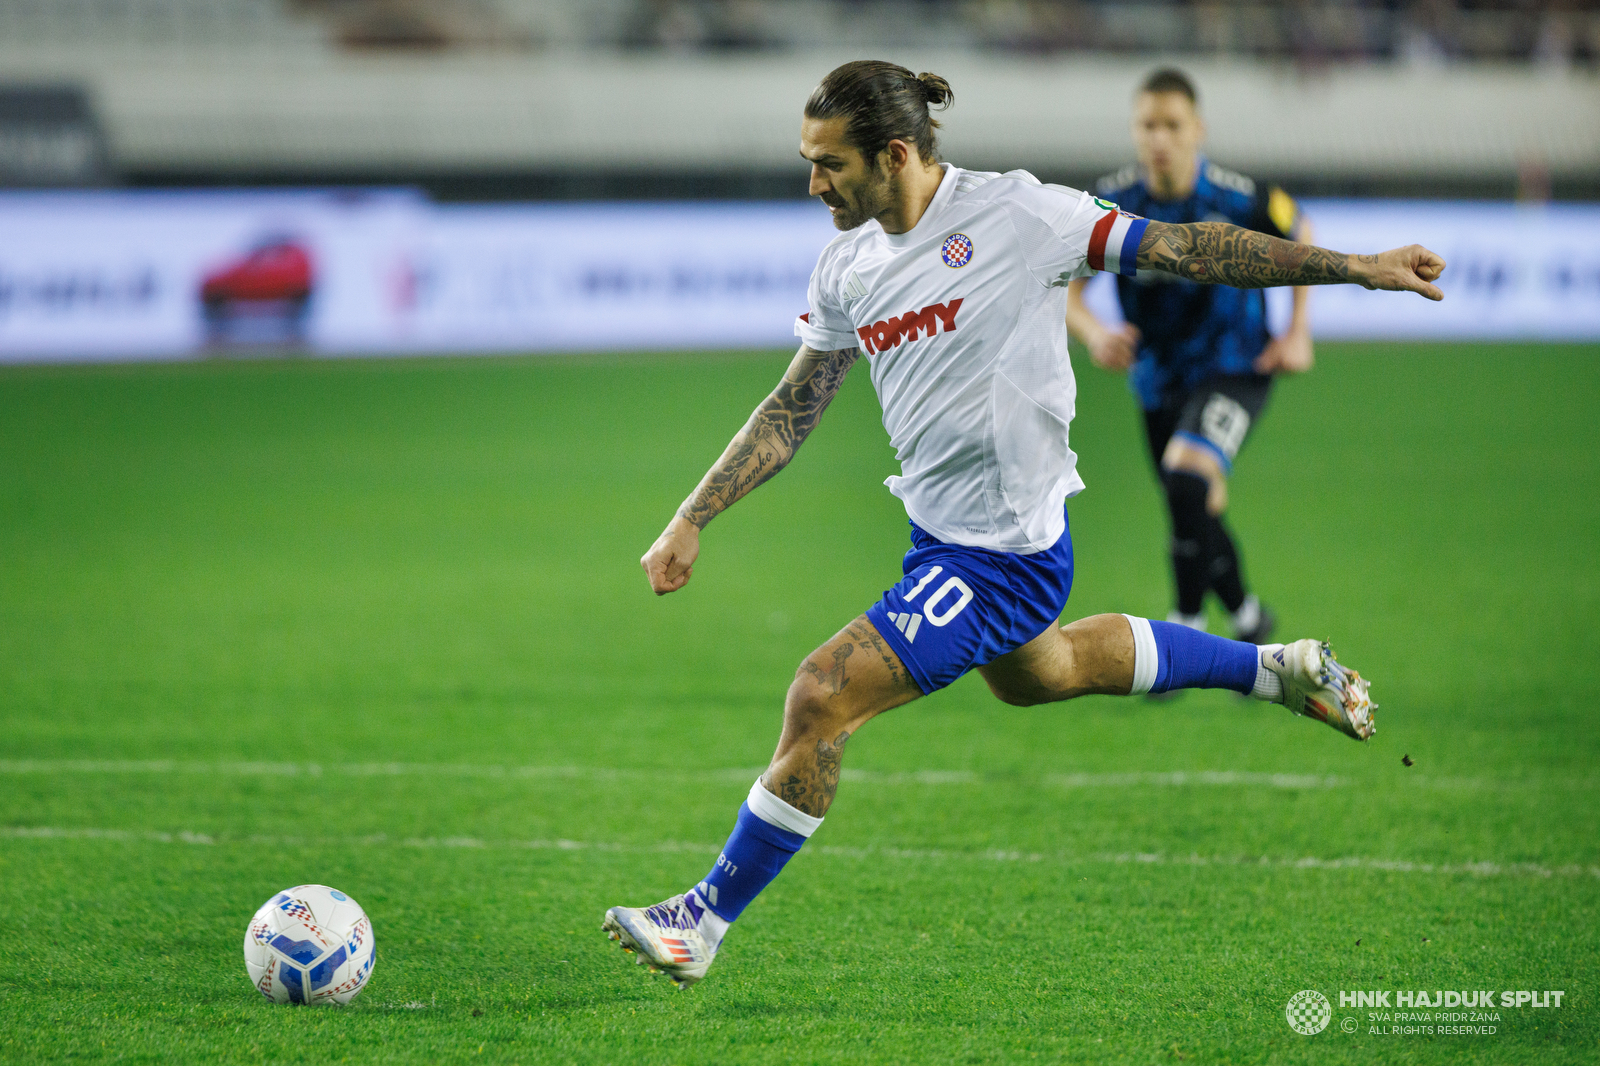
pixel 1231 255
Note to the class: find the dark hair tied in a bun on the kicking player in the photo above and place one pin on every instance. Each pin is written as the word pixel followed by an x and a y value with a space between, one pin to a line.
pixel 882 103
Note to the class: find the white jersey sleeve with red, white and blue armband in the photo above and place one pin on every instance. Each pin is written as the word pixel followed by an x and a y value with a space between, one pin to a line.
pixel 1068 234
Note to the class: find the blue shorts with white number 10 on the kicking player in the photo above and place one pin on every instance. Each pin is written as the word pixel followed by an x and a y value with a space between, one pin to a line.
pixel 966 607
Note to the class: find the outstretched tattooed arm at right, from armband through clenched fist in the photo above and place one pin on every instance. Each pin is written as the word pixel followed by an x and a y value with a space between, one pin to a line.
pixel 1222 254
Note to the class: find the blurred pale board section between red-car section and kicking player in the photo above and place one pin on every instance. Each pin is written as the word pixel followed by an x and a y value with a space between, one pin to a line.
pixel 607 276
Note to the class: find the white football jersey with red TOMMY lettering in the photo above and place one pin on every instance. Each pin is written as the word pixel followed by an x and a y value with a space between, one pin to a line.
pixel 962 324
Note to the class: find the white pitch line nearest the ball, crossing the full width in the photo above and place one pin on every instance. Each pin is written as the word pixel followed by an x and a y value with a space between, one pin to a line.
pixel 681 848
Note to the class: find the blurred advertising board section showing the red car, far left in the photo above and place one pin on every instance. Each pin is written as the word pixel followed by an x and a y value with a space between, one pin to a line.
pixel 89 276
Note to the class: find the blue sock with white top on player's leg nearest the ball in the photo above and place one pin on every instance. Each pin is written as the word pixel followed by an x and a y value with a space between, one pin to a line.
pixel 767 835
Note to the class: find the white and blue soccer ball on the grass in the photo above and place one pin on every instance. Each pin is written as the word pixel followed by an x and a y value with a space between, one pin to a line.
pixel 310 945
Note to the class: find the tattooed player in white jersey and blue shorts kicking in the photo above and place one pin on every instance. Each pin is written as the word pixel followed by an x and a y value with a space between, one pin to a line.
pixel 953 286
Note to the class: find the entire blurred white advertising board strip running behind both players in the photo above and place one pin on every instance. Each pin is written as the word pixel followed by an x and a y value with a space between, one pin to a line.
pixel 111 275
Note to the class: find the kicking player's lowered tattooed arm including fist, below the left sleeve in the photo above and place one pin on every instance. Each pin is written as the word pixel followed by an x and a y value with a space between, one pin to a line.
pixel 764 447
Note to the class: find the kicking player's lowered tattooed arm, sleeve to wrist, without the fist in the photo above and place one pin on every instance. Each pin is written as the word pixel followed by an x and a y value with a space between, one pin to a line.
pixel 774 435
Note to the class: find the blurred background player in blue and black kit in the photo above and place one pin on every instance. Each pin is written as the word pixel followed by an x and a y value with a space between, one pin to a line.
pixel 1199 358
